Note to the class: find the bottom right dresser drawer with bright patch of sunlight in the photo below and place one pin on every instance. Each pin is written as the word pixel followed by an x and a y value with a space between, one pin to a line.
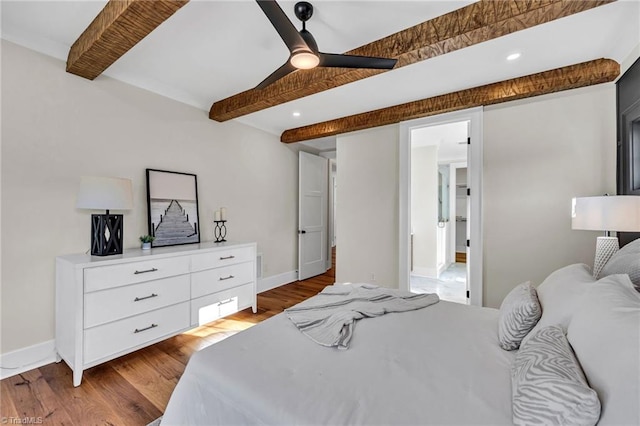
pixel 209 308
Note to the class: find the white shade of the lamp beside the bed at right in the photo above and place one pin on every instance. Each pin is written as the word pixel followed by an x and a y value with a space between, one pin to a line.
pixel 607 213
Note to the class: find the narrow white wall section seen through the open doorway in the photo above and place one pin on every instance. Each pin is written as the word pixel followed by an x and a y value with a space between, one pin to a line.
pixel 424 209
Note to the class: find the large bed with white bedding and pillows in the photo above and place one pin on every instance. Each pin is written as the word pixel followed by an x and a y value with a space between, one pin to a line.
pixel 439 365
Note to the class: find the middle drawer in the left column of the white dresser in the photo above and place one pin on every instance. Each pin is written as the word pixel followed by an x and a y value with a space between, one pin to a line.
pixel 120 302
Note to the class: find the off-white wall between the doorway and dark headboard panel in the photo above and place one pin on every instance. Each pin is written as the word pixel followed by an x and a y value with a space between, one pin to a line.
pixel 538 154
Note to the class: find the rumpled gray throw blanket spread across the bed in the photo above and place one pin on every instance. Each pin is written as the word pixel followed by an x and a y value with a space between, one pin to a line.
pixel 328 318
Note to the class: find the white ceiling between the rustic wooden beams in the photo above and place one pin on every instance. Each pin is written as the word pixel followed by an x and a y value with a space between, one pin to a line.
pixel 210 50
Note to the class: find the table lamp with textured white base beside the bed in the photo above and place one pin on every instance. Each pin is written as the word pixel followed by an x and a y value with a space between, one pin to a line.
pixel 607 213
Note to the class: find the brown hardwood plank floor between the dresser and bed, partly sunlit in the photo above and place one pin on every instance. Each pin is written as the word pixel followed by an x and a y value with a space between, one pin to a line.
pixel 133 389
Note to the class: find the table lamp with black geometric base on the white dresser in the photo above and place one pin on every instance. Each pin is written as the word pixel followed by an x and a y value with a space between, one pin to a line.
pixel 104 193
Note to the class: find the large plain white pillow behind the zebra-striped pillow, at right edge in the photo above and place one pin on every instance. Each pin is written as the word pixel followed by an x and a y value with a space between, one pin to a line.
pixel 605 335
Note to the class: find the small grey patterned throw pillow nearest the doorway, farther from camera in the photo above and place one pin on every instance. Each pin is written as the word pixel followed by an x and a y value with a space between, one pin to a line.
pixel 519 312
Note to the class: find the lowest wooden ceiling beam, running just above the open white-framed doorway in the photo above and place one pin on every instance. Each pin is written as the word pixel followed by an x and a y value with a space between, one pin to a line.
pixel 565 78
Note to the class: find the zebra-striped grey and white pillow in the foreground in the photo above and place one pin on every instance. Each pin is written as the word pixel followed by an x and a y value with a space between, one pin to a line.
pixel 547 384
